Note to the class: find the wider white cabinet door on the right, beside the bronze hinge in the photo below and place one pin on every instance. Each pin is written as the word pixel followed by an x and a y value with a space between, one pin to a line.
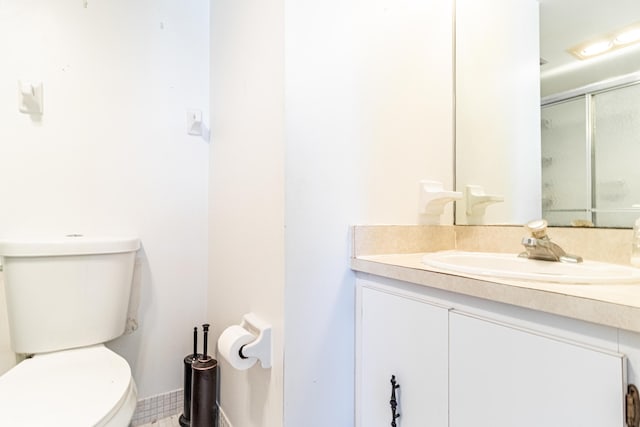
pixel 501 376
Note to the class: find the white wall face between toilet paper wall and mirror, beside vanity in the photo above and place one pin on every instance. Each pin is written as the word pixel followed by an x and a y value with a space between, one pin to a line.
pixel 369 114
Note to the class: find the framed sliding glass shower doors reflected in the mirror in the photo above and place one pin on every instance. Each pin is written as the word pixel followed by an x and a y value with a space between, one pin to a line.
pixel 592 140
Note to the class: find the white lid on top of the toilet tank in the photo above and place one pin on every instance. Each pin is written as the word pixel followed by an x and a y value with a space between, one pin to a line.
pixel 73 244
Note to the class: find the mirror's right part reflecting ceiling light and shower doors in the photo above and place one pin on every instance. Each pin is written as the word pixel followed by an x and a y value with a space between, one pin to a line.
pixel 590 116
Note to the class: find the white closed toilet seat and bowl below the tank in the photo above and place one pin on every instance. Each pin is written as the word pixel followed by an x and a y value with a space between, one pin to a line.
pixel 88 386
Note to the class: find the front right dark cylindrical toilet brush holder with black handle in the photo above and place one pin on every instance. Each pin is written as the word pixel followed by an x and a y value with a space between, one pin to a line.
pixel 204 388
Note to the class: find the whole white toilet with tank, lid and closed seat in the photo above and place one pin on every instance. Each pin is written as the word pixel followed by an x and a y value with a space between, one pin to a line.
pixel 65 298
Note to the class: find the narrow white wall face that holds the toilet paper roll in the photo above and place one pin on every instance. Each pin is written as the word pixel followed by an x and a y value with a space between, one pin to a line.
pixel 246 205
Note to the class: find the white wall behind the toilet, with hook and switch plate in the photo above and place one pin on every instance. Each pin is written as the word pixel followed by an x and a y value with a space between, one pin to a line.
pixel 111 155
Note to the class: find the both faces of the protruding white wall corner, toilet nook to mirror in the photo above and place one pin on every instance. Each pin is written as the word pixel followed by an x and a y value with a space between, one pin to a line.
pixel 365 98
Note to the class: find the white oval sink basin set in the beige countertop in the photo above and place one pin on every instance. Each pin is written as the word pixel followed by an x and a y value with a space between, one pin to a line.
pixel 510 266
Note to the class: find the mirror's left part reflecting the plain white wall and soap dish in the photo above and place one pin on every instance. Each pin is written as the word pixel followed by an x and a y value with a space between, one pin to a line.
pixel 497 111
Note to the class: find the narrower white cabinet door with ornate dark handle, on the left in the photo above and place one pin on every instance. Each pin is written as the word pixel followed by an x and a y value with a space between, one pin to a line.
pixel 406 338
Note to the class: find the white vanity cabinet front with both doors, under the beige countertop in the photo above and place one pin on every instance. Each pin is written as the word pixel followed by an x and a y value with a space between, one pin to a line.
pixel 458 365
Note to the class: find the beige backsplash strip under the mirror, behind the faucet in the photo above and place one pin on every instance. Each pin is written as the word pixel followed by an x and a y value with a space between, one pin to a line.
pixel 597 244
